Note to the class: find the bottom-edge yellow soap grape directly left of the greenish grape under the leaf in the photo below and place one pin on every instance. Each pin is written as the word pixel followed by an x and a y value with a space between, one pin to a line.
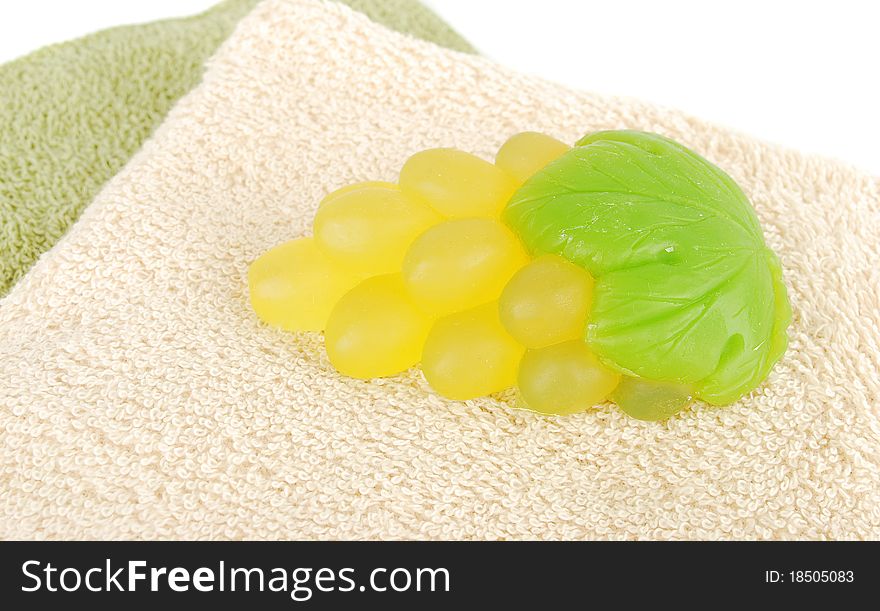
pixel 564 378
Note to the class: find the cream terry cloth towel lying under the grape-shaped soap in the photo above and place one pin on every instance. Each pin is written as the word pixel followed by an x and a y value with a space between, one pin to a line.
pixel 141 398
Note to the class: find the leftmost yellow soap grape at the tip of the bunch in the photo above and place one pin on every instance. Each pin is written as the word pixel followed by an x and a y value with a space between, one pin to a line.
pixel 294 286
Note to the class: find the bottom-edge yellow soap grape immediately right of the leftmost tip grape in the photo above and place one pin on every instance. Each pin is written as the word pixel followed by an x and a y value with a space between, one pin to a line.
pixel 375 330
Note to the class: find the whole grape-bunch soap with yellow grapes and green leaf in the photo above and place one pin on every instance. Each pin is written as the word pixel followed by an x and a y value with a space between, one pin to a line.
pixel 626 268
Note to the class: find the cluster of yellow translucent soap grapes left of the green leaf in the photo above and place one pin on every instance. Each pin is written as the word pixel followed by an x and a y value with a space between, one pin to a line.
pixel 424 271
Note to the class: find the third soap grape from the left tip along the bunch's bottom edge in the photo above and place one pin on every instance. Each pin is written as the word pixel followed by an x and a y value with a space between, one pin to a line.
pixel 469 354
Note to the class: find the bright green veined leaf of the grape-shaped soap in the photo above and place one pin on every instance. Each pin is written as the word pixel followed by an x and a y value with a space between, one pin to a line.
pixel 686 289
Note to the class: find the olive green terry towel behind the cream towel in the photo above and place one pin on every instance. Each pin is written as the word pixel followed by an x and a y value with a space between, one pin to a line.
pixel 72 114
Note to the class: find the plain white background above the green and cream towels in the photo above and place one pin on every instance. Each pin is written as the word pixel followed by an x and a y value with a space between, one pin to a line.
pixel 804 74
